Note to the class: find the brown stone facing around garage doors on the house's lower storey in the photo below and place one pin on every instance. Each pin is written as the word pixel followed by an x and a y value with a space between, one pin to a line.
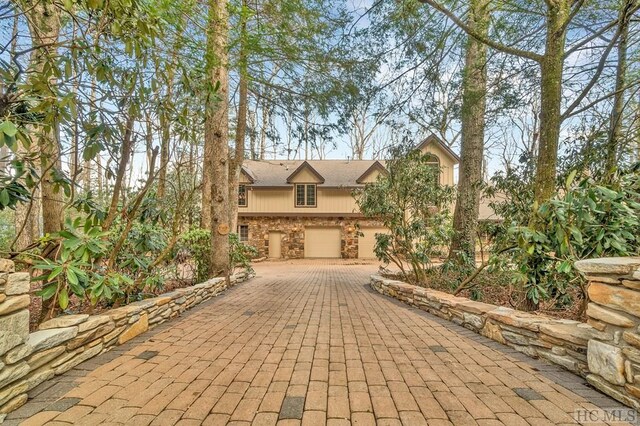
pixel 292 228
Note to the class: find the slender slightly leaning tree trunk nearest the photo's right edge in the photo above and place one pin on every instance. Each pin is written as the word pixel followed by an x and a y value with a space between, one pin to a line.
pixel 615 129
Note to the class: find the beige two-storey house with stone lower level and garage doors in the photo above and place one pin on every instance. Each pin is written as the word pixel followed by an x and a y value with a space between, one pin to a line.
pixel 305 209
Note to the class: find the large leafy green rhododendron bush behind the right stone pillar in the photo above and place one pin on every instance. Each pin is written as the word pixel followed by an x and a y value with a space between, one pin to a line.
pixel 584 220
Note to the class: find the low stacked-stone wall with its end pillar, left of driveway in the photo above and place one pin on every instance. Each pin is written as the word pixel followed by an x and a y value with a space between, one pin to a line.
pixel 28 359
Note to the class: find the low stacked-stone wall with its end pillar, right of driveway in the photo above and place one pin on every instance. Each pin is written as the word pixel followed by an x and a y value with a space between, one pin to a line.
pixel 606 350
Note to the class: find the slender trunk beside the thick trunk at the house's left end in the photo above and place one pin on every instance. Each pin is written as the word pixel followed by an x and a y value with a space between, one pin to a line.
pixel 241 125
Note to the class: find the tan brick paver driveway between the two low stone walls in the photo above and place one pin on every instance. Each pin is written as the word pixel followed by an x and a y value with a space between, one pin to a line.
pixel 310 342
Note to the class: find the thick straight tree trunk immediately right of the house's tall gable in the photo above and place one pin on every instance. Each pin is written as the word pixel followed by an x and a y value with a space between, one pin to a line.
pixel 474 102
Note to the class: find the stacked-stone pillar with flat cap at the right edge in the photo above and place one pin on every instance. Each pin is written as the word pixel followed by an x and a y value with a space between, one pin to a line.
pixel 614 308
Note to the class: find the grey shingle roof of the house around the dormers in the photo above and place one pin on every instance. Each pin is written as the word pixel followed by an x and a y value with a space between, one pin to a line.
pixel 336 173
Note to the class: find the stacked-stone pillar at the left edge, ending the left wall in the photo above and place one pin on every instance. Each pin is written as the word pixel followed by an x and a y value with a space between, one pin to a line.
pixel 14 332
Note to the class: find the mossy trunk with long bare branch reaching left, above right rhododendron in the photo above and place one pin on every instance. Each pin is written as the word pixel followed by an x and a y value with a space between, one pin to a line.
pixel 551 99
